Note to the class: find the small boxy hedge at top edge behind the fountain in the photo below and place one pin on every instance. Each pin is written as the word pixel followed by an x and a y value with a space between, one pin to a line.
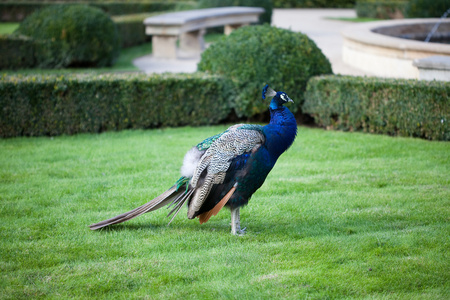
pixel 381 9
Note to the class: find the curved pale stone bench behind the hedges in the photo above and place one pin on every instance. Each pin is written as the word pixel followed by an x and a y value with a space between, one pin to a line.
pixel 190 26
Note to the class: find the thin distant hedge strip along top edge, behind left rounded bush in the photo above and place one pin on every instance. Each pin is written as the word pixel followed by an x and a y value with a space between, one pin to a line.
pixel 17 11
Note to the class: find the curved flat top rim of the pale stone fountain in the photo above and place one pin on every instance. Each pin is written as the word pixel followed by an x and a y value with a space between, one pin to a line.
pixel 363 33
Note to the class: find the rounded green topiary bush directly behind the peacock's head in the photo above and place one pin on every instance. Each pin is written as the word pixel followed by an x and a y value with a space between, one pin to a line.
pixel 255 55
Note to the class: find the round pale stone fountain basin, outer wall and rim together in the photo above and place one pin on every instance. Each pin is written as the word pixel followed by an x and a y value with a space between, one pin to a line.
pixel 383 49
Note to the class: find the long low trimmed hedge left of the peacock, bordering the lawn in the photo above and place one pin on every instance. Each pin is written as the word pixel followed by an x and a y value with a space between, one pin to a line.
pixel 55 105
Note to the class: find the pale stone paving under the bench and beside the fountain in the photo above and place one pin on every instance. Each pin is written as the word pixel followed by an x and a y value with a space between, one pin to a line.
pixel 312 22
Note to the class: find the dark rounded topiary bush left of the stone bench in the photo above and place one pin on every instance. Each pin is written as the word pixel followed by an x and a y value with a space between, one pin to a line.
pixel 72 36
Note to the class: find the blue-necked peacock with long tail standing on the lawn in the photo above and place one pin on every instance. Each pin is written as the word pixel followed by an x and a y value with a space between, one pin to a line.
pixel 225 169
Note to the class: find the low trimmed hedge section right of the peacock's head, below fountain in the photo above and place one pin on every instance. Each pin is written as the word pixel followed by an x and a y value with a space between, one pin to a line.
pixel 388 106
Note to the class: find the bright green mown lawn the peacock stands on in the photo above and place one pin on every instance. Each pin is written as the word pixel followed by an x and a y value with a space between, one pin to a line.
pixel 342 215
